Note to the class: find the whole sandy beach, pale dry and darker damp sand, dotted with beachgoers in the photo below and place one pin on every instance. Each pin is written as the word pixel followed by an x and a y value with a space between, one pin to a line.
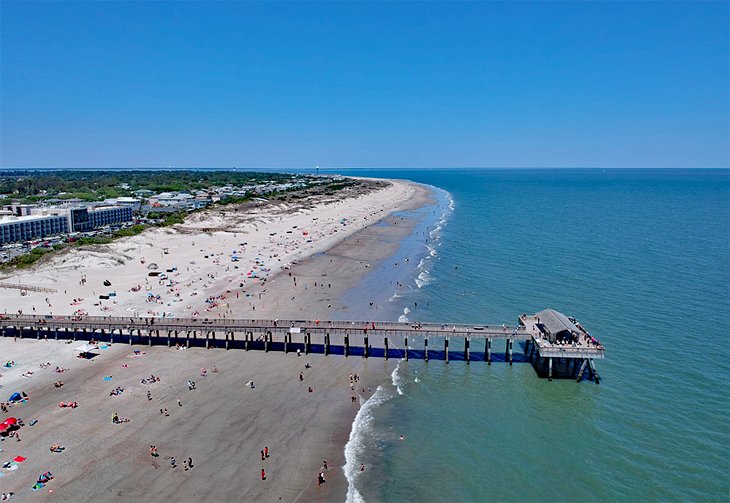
pixel 223 424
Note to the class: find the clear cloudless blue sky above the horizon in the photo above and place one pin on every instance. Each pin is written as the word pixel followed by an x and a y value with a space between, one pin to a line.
pixel 617 84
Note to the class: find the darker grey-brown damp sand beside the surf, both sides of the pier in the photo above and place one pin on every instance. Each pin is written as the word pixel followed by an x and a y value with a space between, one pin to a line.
pixel 223 424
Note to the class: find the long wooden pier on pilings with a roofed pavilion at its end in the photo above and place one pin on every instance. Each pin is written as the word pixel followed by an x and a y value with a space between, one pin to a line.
pixel 555 344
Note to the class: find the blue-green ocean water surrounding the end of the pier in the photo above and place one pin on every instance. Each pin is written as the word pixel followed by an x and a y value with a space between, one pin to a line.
pixel 642 259
